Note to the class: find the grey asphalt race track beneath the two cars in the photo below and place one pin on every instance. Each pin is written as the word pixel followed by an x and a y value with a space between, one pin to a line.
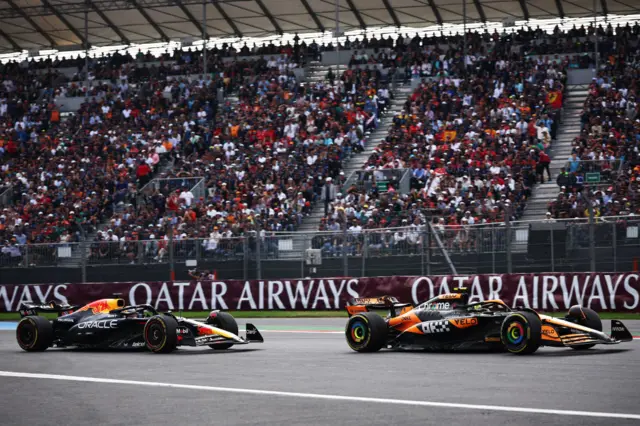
pixel 304 375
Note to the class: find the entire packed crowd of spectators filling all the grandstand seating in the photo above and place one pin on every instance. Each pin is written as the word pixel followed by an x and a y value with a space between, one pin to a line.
pixel 475 135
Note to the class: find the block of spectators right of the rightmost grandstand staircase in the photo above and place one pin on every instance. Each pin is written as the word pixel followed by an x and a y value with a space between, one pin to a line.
pixel 608 145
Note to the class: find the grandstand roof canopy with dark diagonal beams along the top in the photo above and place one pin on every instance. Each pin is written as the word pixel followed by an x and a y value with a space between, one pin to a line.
pixel 43 24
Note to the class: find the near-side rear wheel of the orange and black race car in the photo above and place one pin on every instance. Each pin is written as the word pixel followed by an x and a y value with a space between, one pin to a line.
pixel 366 332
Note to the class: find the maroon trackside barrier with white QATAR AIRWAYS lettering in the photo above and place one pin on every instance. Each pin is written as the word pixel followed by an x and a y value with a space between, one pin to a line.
pixel 619 292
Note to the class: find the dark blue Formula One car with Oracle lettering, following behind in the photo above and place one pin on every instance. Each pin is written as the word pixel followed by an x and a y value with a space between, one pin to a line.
pixel 109 324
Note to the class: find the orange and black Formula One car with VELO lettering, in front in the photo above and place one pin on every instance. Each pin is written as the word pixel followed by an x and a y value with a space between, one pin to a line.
pixel 448 322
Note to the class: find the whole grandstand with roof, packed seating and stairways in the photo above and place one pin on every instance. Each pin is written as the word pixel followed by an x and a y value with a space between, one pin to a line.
pixel 420 140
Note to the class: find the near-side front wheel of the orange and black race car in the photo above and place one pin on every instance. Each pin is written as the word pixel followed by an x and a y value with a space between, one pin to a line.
pixel 521 333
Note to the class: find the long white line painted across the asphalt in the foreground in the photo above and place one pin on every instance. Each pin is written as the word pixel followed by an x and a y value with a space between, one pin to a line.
pixel 498 408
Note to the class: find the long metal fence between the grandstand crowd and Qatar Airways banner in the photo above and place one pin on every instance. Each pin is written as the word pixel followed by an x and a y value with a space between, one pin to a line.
pixel 603 244
